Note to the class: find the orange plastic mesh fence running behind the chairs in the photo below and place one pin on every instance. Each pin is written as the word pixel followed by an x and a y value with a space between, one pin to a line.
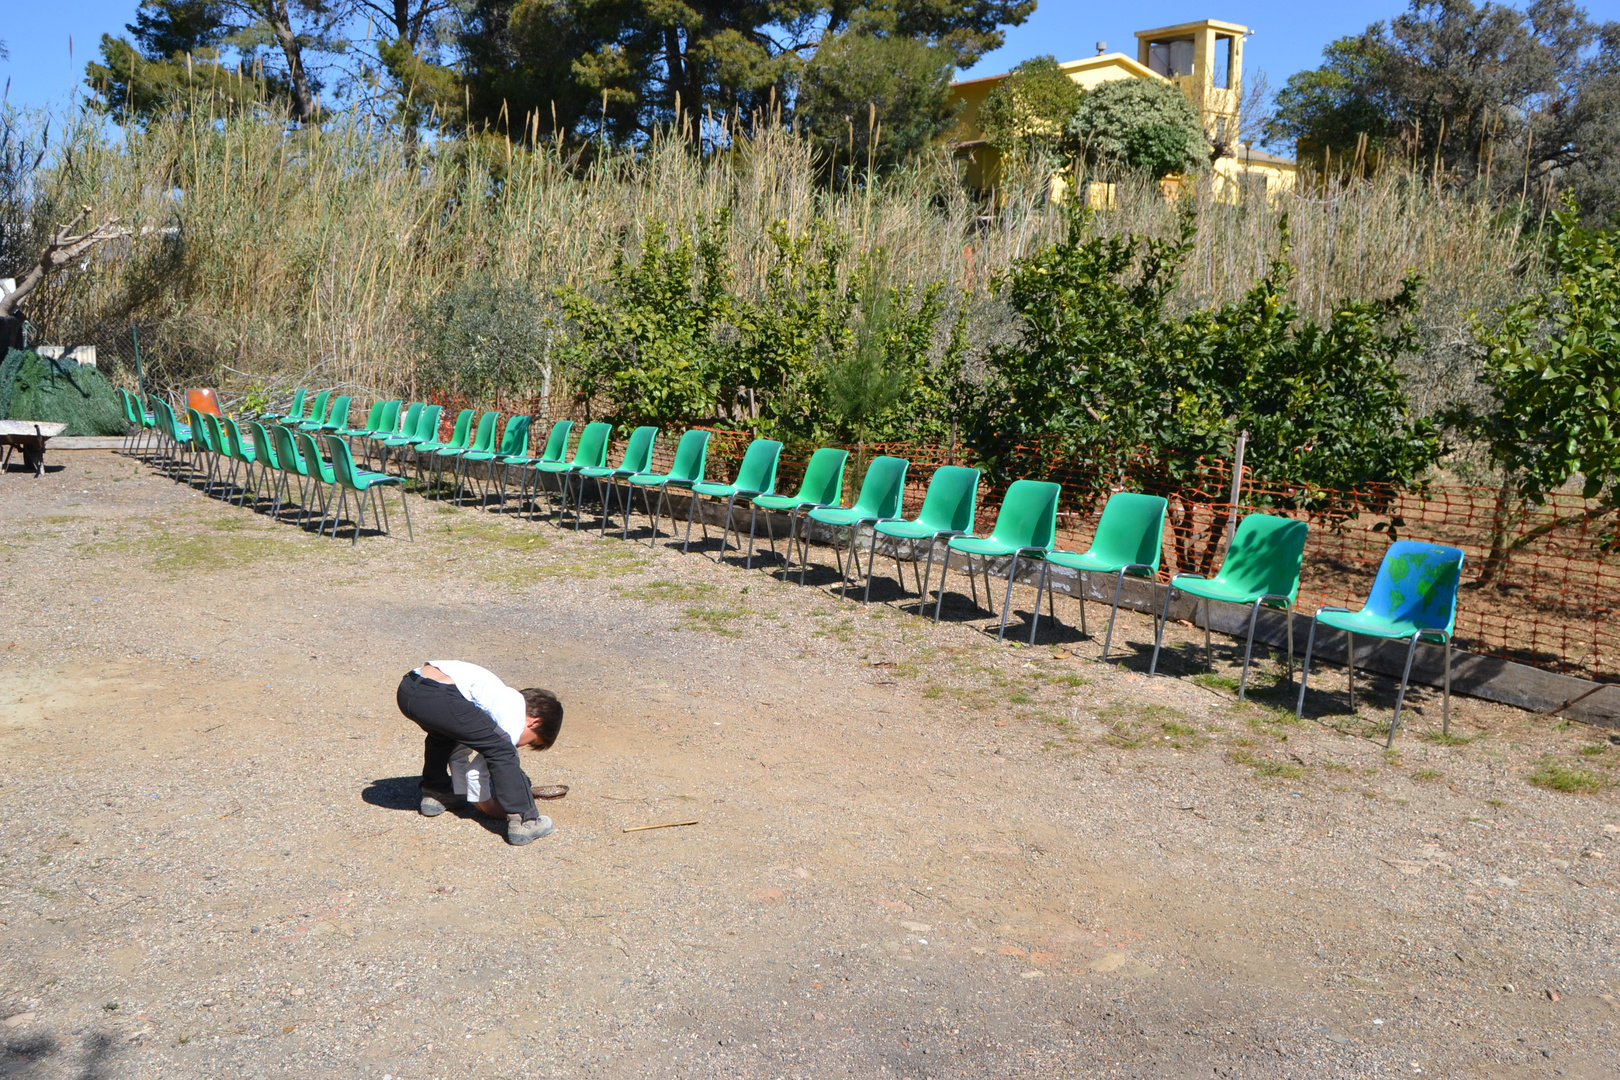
pixel 1541 584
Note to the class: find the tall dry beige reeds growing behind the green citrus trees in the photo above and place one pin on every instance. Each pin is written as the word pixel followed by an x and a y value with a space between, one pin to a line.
pixel 273 257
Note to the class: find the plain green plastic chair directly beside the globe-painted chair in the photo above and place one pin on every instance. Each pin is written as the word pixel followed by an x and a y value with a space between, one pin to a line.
pixel 1261 568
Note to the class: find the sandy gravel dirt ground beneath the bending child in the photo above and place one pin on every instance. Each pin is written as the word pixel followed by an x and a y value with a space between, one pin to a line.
pixel 918 854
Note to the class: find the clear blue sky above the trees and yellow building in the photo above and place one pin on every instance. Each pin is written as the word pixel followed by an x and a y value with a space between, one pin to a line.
pixel 1285 40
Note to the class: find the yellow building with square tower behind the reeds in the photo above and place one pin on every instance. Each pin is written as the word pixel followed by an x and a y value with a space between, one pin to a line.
pixel 1204 61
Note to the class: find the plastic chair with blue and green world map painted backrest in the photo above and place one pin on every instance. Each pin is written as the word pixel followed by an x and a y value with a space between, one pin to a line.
pixel 1413 597
